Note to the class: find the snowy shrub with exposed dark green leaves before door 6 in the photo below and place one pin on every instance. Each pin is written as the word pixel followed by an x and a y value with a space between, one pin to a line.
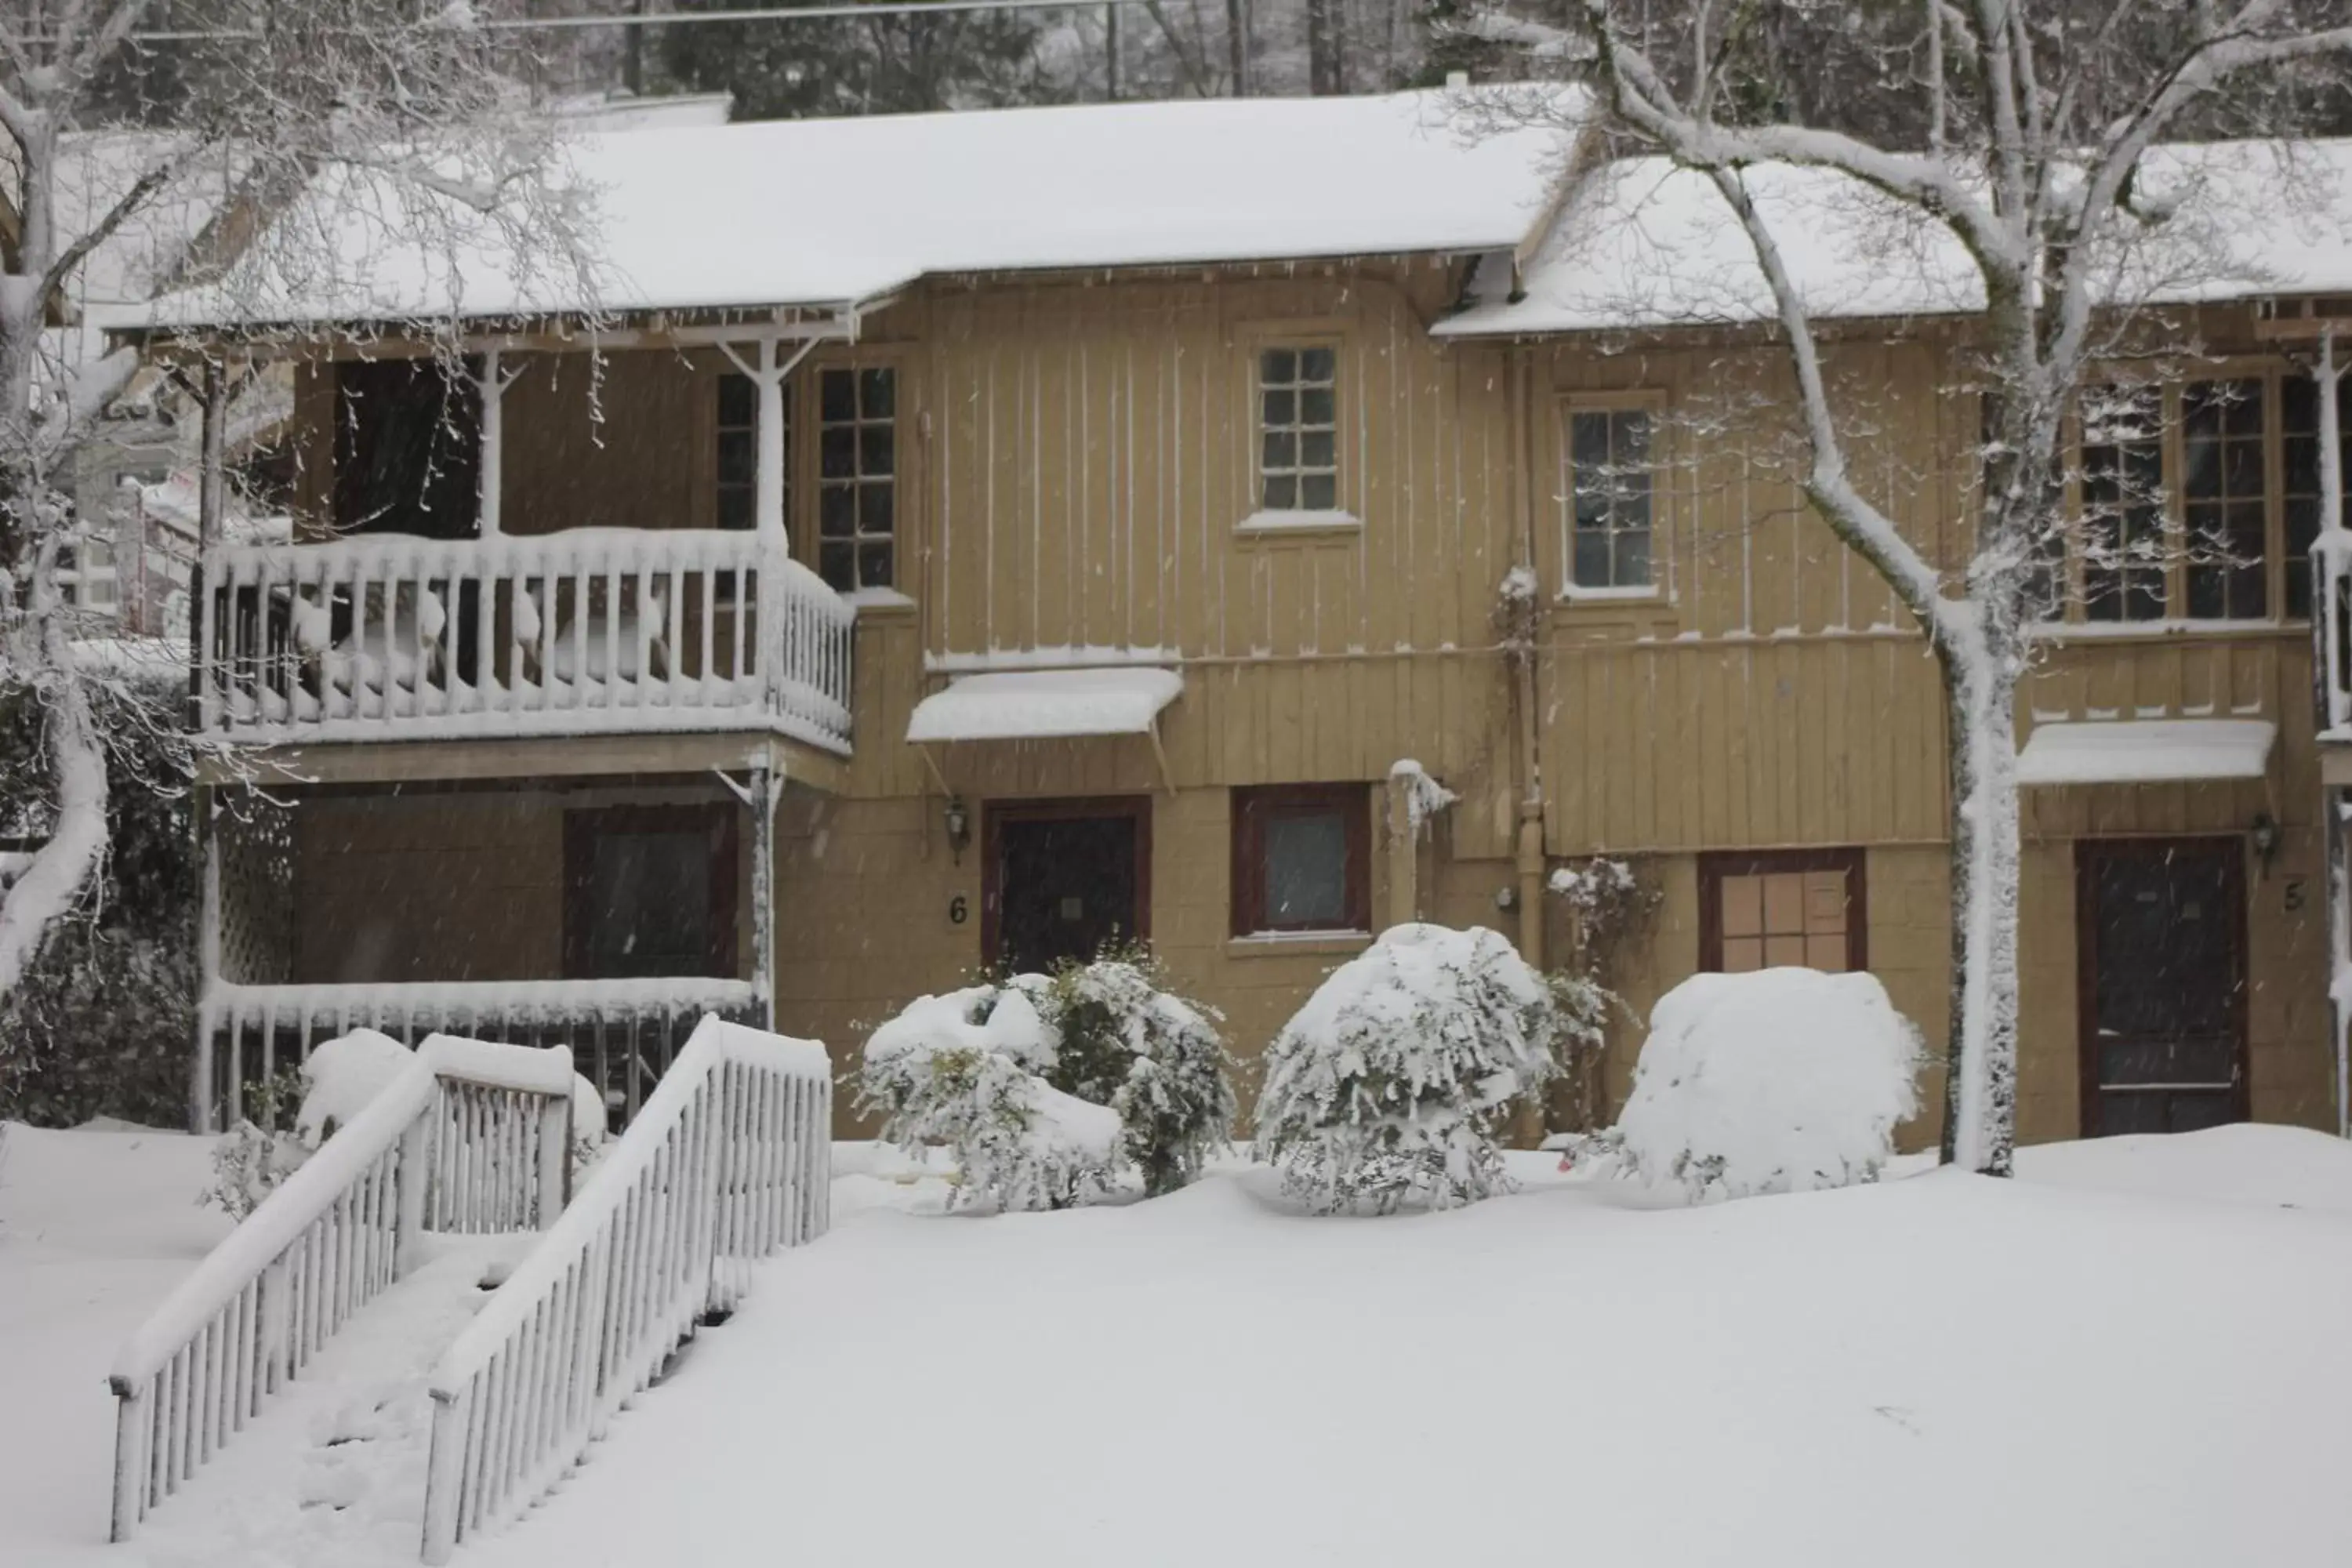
pixel 1050 1090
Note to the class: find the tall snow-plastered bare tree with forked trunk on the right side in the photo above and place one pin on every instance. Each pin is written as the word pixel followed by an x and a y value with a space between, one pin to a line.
pixel 2033 161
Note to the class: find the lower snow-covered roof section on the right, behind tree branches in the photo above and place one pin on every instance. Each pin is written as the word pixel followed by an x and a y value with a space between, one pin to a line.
pixel 1643 243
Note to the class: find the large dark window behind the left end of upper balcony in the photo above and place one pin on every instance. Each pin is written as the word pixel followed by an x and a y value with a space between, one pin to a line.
pixel 408 450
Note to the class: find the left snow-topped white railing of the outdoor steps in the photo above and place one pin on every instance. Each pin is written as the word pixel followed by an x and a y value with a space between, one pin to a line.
pixel 469 1137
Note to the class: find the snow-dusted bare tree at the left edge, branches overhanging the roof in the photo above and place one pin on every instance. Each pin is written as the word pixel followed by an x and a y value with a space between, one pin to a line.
pixel 189 145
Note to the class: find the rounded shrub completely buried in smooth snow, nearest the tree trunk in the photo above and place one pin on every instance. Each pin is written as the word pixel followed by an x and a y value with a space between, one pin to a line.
pixel 1777 1080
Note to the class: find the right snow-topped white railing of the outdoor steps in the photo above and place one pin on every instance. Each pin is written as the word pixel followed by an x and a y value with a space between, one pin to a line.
pixel 726 1165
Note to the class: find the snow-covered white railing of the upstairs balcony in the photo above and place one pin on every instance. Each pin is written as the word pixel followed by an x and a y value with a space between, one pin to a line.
pixel 592 631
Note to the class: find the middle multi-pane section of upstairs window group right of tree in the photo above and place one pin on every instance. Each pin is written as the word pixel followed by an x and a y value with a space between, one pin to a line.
pixel 2224 500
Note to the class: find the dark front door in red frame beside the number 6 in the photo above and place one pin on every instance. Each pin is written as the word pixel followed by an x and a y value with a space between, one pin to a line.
pixel 1064 878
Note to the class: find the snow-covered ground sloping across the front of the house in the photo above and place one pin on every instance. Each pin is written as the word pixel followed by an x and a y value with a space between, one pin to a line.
pixel 2132 1355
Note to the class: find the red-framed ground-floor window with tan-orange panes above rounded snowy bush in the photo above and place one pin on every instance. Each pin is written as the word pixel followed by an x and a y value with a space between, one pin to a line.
pixel 1768 911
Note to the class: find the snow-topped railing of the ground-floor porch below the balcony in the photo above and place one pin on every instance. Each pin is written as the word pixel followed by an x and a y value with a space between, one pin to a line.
pixel 622 1033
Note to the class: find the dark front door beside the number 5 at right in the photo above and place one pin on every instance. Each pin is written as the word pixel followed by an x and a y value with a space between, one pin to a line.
pixel 2163 986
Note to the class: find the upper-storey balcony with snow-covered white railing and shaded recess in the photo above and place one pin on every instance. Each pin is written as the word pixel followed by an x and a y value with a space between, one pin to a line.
pixel 535 547
